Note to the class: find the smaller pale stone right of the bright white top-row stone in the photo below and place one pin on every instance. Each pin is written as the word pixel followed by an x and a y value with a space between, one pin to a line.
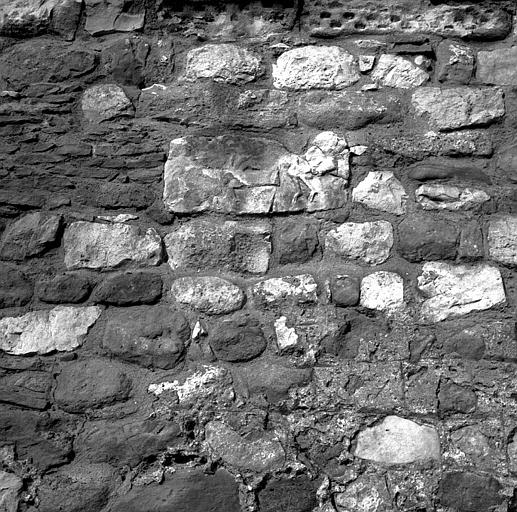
pixel 397 71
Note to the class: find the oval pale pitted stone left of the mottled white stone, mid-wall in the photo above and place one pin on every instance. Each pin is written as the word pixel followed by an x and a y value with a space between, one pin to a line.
pixel 210 295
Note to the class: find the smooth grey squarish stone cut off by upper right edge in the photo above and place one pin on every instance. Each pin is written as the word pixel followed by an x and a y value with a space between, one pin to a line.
pixel 498 66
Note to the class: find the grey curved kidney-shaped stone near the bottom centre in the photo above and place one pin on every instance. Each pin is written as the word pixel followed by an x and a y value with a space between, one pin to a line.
pixel 262 454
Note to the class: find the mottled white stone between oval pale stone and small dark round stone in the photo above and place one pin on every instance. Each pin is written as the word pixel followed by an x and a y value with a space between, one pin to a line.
pixel 278 291
